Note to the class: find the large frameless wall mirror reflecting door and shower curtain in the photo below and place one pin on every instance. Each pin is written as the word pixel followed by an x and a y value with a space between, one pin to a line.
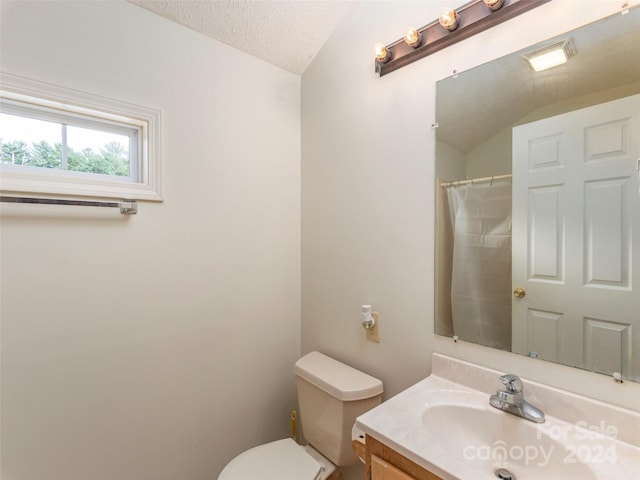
pixel 538 202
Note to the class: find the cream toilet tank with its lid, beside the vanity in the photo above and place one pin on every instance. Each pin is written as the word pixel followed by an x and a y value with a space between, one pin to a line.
pixel 331 395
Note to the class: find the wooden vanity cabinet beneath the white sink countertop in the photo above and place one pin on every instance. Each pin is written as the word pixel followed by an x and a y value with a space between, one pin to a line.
pixel 384 463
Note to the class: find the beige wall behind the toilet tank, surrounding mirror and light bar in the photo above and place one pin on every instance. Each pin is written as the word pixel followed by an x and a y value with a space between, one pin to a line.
pixel 368 189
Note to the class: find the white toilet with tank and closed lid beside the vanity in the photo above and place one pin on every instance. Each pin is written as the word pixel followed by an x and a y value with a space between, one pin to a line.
pixel 330 395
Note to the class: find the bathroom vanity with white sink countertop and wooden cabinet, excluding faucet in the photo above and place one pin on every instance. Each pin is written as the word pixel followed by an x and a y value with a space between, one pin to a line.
pixel 444 428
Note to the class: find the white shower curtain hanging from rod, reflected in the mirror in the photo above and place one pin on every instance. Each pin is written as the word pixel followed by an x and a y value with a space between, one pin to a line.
pixel 481 277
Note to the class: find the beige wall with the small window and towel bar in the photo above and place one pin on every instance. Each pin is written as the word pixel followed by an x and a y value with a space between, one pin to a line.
pixel 156 346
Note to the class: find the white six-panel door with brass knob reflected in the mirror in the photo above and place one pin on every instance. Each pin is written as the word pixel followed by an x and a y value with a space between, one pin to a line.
pixel 576 238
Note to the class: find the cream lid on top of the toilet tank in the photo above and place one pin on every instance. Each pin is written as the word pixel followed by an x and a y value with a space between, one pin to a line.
pixel 337 379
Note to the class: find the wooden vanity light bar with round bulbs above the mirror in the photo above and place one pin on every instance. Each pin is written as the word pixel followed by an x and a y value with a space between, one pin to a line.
pixel 452 27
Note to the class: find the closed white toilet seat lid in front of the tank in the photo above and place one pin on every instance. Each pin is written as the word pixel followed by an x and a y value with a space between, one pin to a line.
pixel 279 460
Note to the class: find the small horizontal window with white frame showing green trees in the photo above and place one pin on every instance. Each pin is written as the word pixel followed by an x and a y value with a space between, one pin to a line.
pixel 62 142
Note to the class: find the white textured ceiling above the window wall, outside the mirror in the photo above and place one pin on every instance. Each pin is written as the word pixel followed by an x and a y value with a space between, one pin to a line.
pixel 285 33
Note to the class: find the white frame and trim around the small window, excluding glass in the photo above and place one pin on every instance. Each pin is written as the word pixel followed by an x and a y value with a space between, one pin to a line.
pixel 37 100
